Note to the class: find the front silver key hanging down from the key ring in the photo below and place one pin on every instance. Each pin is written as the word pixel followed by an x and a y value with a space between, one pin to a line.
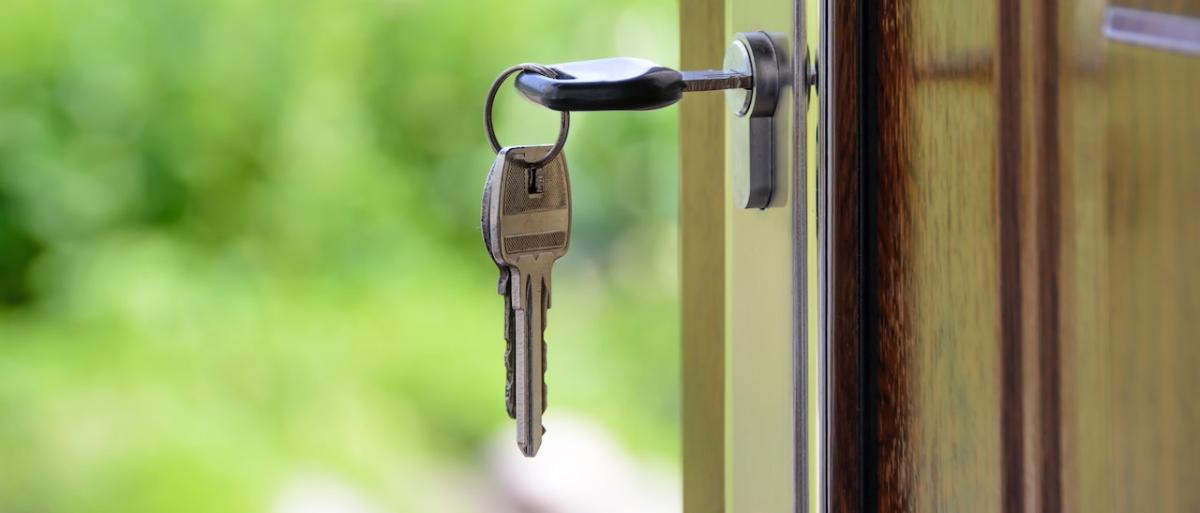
pixel 531 226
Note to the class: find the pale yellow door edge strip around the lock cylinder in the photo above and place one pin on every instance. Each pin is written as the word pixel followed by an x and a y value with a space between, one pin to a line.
pixel 728 333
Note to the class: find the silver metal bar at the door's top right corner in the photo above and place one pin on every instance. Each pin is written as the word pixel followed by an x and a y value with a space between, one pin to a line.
pixel 1153 29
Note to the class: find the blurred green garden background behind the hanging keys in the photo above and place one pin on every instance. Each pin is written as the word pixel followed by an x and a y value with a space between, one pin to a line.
pixel 241 264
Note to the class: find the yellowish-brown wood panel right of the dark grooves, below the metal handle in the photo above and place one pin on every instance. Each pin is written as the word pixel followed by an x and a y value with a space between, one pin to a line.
pixel 1131 244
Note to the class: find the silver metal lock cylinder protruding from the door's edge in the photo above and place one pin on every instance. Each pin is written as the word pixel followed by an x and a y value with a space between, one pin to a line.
pixel 753 131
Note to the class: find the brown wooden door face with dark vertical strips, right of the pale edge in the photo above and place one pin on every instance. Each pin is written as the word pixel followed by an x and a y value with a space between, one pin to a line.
pixel 1013 297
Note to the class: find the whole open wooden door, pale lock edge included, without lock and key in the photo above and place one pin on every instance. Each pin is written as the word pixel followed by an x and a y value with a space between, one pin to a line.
pixel 981 293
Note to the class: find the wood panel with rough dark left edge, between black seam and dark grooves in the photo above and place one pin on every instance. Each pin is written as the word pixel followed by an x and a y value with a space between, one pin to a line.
pixel 946 156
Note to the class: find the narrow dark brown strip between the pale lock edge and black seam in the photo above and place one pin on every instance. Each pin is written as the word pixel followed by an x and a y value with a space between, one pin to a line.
pixel 842 200
